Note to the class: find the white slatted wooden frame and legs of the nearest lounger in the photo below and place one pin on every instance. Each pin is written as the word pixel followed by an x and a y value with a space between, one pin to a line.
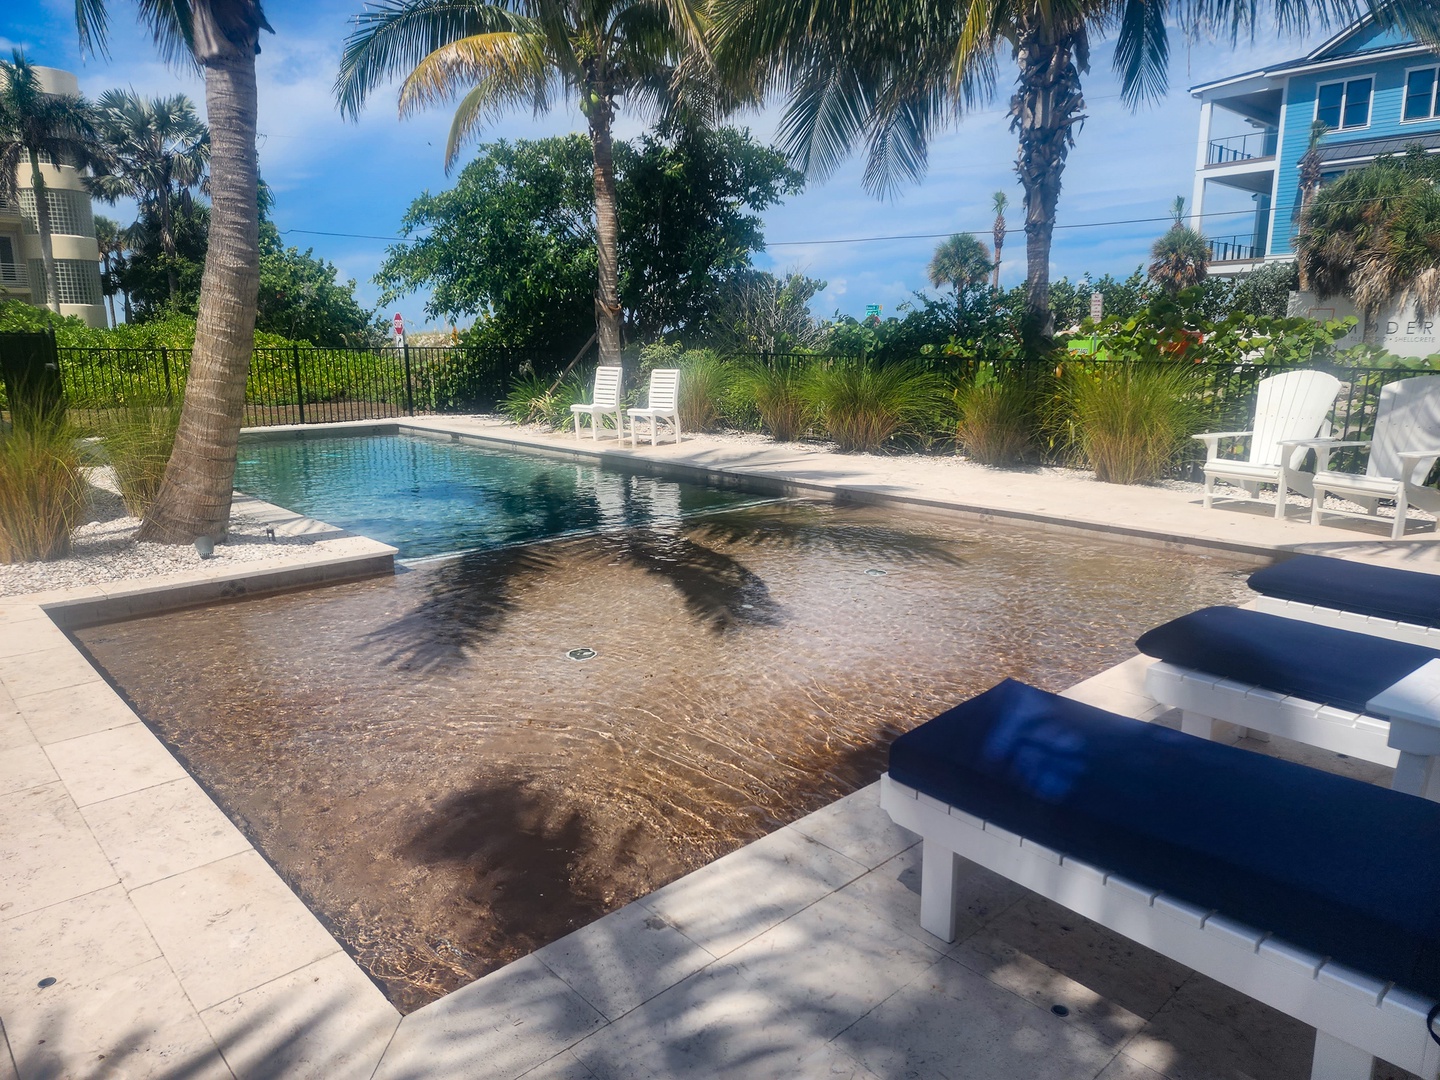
pixel 1357 1017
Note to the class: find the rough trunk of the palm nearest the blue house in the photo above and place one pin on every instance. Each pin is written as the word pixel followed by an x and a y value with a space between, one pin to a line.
pixel 1045 112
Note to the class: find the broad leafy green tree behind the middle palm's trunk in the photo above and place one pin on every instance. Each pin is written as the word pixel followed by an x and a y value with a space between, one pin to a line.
pixel 515 243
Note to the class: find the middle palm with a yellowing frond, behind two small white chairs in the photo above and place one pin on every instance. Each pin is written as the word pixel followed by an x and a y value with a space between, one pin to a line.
pixel 601 54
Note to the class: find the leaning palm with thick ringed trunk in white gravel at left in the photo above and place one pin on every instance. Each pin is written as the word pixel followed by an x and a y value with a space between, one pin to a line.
pixel 222 38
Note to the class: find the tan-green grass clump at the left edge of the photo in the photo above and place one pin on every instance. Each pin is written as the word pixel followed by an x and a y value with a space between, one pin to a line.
pixel 42 490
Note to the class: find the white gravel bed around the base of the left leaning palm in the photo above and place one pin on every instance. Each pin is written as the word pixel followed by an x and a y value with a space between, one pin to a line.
pixel 106 549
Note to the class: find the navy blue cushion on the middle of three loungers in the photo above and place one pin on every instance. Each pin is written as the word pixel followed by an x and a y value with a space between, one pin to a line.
pixel 1287 656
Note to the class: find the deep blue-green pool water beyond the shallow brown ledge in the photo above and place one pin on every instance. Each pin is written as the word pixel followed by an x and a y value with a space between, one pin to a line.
pixel 433 498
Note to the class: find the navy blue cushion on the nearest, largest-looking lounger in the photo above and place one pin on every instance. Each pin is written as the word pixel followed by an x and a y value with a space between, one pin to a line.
pixel 1336 866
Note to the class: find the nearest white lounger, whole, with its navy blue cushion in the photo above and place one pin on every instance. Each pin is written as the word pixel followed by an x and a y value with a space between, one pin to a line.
pixel 1313 894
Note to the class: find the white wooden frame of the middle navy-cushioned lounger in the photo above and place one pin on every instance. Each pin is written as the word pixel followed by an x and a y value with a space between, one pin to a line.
pixel 1400 728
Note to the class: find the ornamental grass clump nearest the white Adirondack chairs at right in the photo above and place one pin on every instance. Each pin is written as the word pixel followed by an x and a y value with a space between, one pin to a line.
pixel 1131 420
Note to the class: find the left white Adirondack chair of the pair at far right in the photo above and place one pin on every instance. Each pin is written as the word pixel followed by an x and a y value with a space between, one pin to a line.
pixel 1290 408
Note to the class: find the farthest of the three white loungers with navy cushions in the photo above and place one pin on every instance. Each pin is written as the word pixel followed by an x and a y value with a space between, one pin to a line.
pixel 1402 606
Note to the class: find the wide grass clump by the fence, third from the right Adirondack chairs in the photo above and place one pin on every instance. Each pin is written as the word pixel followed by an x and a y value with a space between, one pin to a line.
pixel 866 404
